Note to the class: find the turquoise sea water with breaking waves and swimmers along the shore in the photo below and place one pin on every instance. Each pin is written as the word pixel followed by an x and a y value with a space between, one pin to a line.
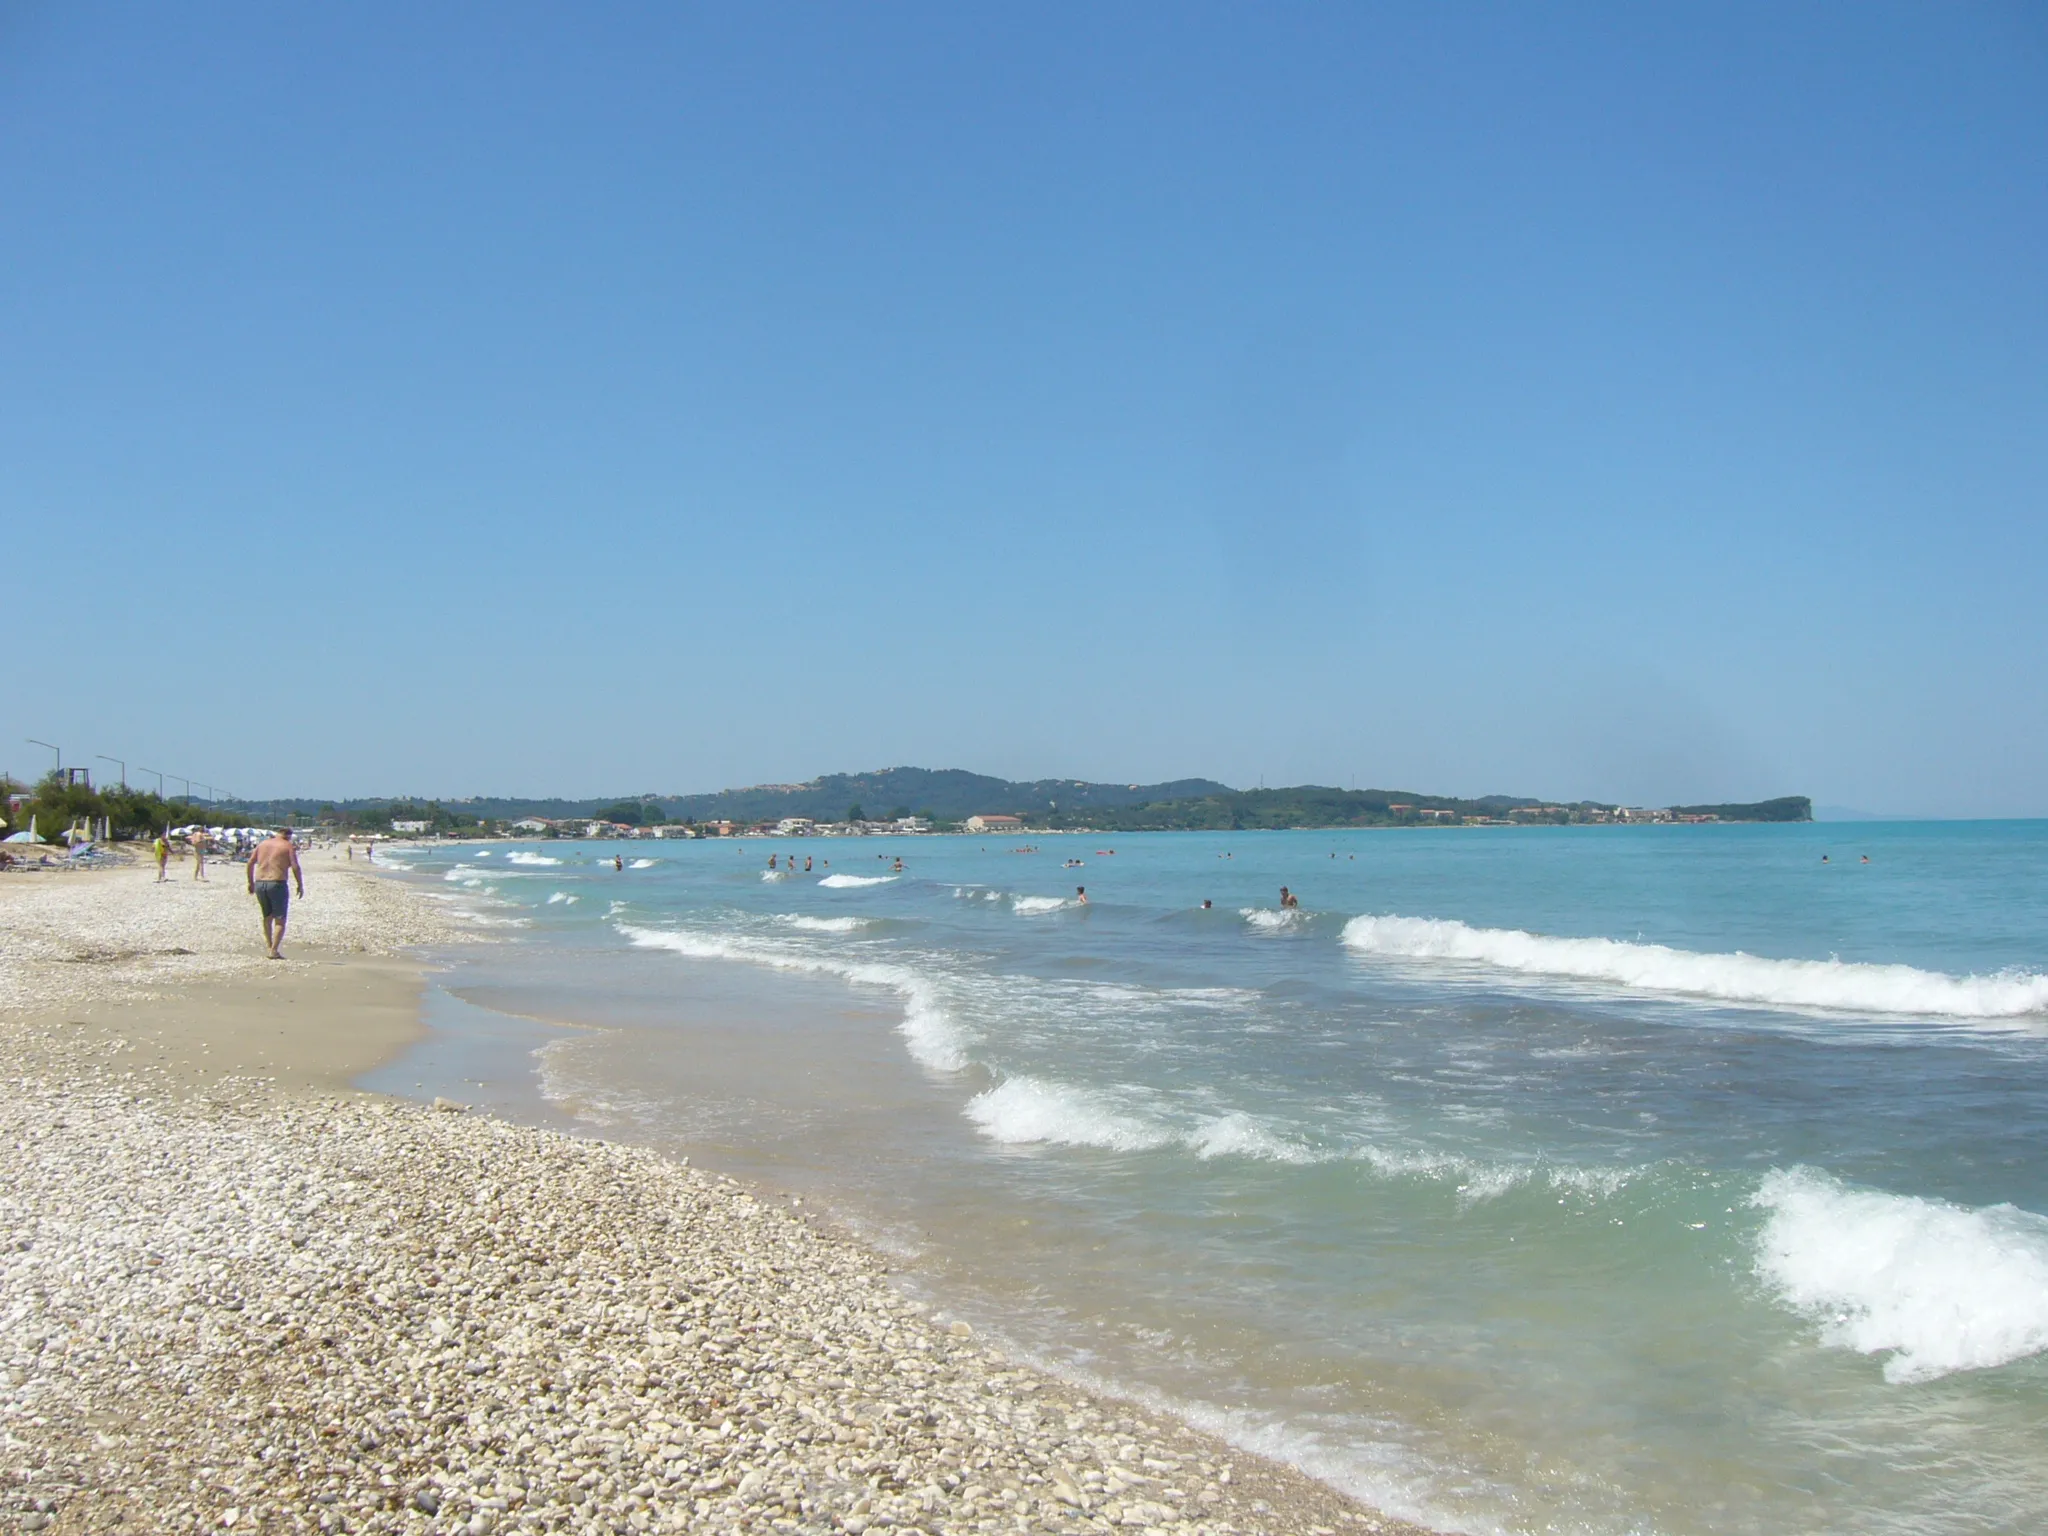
pixel 1521 1181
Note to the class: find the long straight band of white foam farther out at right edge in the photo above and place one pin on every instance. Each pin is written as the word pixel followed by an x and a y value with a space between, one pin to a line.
pixel 1730 978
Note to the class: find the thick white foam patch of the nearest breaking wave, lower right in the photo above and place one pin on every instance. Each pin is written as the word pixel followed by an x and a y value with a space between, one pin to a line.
pixel 1936 1285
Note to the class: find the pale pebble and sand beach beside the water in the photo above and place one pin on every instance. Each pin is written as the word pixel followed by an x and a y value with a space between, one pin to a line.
pixel 241 1295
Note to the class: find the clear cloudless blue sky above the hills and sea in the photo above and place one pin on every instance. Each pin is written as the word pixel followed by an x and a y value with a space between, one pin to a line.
pixel 1637 402
